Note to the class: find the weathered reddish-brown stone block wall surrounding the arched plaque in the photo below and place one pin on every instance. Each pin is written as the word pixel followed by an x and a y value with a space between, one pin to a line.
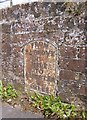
pixel 47 22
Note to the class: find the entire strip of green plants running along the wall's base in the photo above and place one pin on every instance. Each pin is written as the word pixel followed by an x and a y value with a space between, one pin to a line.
pixel 50 106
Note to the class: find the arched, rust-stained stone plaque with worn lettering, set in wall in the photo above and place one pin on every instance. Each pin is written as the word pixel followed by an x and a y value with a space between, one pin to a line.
pixel 40 66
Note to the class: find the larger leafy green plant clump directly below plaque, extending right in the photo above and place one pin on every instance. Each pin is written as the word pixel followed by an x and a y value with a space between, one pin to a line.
pixel 53 107
